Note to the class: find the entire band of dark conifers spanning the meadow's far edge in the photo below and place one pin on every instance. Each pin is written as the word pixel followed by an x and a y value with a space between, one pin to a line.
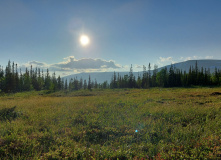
pixel 14 80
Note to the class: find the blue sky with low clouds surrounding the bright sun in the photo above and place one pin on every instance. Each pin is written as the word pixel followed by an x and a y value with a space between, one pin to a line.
pixel 45 33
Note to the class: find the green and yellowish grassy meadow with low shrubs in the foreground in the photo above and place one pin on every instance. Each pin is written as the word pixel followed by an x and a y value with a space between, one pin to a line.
pixel 159 123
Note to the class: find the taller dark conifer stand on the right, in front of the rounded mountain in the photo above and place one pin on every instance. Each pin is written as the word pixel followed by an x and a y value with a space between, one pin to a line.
pixel 171 77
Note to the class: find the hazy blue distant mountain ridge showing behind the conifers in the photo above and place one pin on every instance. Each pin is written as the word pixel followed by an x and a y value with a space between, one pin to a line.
pixel 184 66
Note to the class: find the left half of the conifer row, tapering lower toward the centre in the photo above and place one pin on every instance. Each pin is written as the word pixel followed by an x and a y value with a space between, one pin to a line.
pixel 13 80
